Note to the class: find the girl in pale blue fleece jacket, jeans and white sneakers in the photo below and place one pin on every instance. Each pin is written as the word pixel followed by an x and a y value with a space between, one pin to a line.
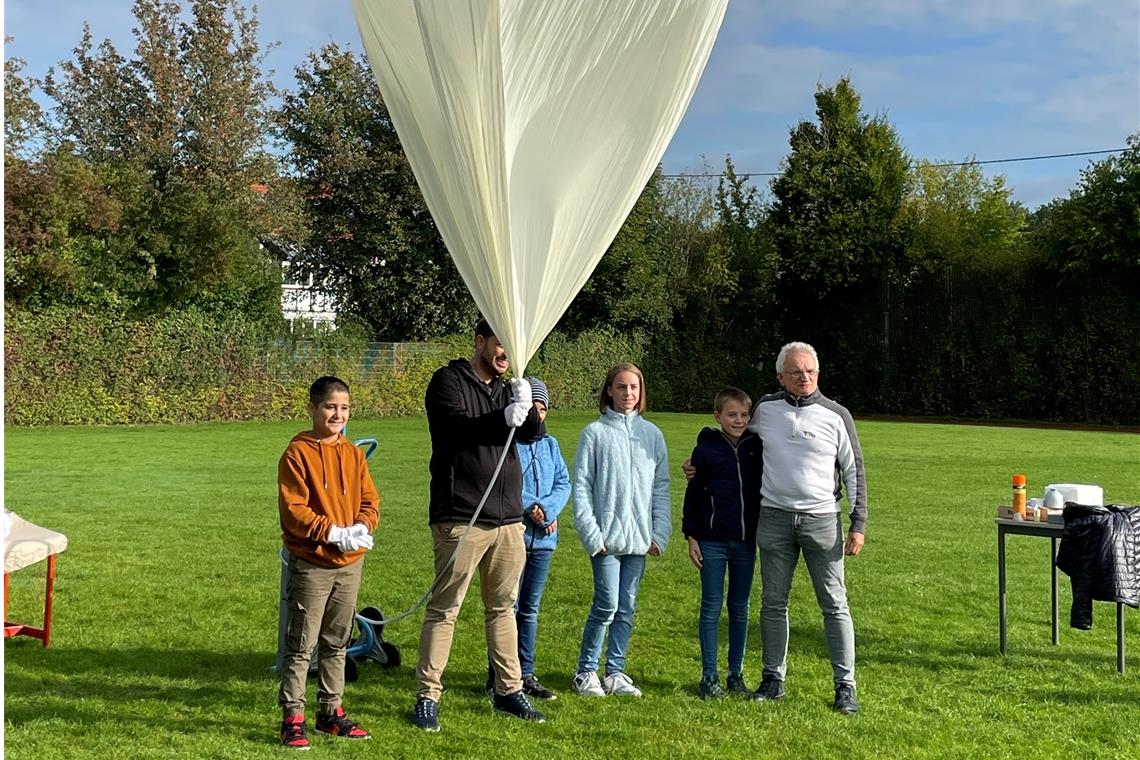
pixel 622 513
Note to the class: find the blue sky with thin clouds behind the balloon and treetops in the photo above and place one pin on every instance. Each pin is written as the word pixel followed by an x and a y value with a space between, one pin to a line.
pixel 959 79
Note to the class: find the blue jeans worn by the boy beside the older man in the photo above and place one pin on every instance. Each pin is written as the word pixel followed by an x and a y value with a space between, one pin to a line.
pixel 739 560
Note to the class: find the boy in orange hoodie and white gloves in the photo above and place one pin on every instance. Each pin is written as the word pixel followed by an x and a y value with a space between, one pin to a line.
pixel 329 510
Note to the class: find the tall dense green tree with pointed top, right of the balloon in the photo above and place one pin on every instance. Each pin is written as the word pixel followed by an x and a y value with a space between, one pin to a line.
pixel 835 217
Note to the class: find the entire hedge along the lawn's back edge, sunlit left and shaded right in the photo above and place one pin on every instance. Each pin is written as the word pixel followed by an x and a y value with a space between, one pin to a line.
pixel 946 345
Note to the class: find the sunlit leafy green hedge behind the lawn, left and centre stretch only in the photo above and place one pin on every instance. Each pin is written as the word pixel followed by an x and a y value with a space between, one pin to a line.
pixel 71 367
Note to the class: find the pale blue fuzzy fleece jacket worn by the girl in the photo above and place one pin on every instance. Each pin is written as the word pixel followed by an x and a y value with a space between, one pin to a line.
pixel 622 486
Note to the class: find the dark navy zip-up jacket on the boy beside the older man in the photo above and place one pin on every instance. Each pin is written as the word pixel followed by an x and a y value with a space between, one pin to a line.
pixel 723 501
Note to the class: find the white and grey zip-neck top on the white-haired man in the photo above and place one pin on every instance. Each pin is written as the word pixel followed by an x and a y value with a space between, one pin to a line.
pixel 811 456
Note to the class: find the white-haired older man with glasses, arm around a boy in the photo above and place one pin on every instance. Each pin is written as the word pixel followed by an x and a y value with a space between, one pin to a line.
pixel 811 455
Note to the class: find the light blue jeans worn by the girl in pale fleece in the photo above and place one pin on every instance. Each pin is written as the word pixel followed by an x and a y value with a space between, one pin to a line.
pixel 617 579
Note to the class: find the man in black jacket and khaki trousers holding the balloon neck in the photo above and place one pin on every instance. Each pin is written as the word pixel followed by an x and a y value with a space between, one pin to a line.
pixel 470 414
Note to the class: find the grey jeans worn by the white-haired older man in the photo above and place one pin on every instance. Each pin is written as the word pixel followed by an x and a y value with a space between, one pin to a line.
pixel 781 536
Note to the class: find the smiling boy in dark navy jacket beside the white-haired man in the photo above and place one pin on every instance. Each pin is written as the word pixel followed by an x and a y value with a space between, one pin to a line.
pixel 721 512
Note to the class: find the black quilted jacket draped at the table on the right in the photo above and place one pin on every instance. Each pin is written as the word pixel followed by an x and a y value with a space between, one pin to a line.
pixel 1101 553
